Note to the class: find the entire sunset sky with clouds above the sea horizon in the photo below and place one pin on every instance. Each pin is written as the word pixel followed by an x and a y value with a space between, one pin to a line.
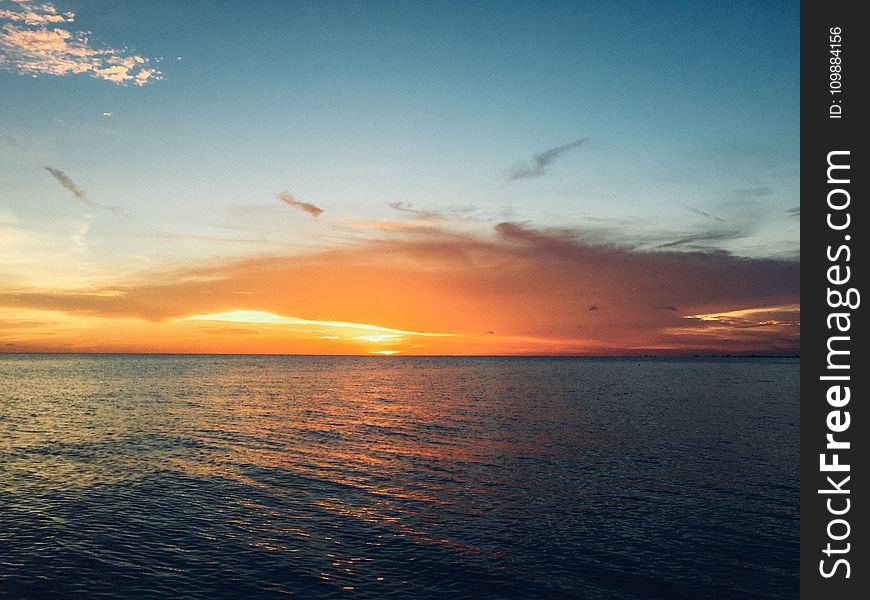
pixel 589 178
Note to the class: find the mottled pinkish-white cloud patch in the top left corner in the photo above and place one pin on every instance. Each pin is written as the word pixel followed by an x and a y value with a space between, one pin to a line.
pixel 36 40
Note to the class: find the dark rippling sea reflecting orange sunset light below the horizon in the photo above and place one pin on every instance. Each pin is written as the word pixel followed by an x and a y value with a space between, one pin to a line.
pixel 316 477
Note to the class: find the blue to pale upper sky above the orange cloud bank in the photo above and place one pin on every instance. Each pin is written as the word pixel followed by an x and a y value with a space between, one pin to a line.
pixel 679 124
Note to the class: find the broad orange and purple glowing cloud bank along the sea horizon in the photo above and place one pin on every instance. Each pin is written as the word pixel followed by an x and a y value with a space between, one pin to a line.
pixel 515 290
